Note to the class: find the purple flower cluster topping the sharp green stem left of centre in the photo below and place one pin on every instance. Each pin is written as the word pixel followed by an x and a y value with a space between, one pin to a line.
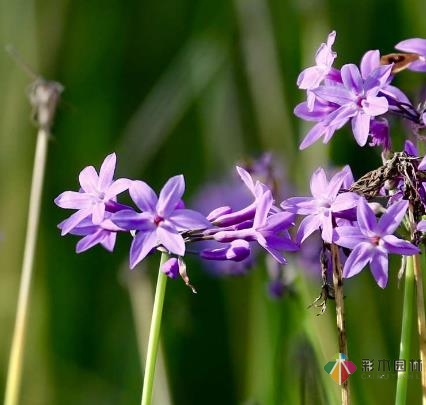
pixel 163 223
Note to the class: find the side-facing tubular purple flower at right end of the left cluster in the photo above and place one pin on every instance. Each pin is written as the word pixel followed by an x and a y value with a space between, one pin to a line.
pixel 270 231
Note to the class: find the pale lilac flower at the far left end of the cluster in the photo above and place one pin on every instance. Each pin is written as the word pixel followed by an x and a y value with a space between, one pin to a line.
pixel 97 195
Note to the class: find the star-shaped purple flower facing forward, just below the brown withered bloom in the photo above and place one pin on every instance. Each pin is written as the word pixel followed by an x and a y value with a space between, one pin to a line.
pixel 371 241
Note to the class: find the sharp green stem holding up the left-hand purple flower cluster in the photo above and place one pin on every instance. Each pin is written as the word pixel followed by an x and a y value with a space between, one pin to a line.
pixel 154 334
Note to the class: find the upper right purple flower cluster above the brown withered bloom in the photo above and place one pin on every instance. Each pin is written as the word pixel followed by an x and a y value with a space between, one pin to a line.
pixel 361 96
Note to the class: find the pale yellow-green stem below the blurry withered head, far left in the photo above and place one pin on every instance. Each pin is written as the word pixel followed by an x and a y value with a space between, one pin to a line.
pixel 18 341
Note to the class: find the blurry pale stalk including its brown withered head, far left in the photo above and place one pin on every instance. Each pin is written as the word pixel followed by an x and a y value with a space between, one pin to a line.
pixel 44 98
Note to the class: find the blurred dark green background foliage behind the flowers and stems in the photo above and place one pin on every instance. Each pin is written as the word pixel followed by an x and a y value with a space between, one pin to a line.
pixel 180 86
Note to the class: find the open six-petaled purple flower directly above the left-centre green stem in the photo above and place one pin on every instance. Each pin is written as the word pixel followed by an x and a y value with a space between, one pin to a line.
pixel 161 221
